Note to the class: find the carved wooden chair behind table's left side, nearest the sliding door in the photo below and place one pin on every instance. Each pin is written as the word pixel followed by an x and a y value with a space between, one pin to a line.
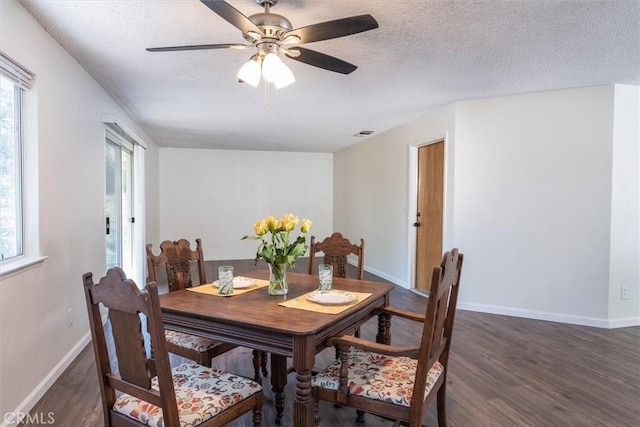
pixel 177 258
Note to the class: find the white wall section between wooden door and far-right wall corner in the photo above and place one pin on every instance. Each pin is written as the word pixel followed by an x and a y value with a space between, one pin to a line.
pixel 532 203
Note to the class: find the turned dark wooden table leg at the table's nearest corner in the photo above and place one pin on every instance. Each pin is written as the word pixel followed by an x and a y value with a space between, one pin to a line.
pixel 303 360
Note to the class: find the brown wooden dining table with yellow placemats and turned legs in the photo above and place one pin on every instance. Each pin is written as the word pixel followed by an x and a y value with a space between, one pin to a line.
pixel 256 320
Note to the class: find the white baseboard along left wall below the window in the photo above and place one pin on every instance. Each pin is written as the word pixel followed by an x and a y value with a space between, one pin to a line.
pixel 30 401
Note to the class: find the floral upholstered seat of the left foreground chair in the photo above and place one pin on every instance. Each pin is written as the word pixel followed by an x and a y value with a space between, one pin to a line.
pixel 201 393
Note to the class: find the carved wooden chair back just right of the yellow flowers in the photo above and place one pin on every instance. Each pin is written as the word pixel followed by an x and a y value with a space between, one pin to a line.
pixel 336 249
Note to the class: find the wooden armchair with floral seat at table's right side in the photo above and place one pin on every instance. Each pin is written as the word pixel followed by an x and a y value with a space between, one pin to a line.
pixel 398 382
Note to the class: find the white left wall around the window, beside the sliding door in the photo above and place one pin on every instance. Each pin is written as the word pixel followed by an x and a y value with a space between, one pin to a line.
pixel 36 344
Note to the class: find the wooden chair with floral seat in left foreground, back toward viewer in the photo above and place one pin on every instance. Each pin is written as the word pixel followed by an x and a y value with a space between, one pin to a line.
pixel 145 390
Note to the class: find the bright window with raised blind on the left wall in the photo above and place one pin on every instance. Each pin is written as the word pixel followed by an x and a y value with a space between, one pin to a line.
pixel 14 79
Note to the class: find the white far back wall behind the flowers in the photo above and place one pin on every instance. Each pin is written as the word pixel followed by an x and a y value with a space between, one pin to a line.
pixel 218 195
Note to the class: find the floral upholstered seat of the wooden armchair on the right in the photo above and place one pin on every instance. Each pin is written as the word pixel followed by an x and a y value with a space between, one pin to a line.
pixel 377 376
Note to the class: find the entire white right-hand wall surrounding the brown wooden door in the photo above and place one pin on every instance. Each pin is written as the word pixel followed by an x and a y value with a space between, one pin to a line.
pixel 529 201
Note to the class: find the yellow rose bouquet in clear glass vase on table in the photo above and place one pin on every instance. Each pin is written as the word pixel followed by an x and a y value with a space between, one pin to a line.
pixel 276 249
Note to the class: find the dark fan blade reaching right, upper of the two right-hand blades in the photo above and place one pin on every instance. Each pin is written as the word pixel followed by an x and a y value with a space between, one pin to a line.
pixel 333 29
